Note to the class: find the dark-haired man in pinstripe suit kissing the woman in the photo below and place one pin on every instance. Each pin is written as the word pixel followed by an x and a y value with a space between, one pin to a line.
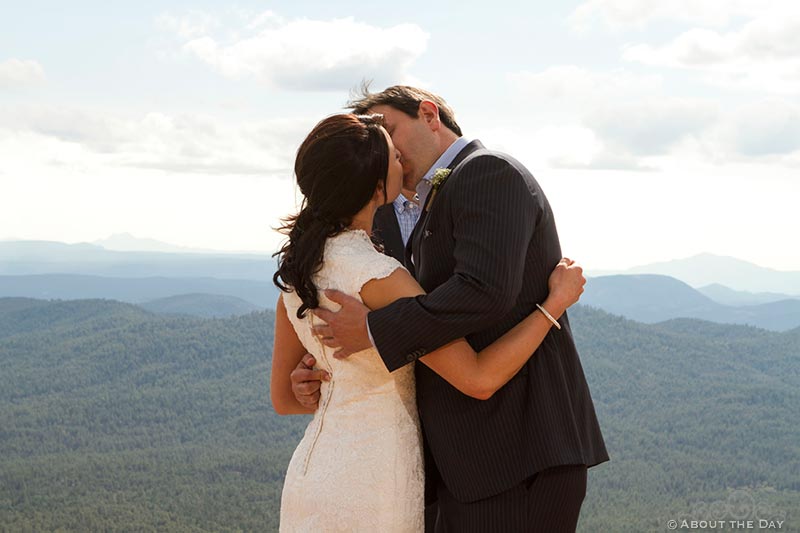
pixel 483 249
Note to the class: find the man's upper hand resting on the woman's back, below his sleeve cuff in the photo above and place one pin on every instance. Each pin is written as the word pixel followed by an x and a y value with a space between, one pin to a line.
pixel 345 329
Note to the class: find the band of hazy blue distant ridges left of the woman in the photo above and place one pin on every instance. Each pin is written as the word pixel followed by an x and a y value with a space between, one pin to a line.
pixel 53 270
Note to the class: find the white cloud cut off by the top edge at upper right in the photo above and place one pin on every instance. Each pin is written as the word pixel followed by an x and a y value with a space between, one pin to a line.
pixel 638 14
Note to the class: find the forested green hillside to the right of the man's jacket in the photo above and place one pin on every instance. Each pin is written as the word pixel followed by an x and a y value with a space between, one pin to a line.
pixel 696 415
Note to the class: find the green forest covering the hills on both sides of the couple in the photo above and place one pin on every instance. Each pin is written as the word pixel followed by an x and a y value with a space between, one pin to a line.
pixel 113 418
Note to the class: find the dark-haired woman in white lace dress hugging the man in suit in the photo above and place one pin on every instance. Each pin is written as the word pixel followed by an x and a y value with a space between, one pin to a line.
pixel 359 466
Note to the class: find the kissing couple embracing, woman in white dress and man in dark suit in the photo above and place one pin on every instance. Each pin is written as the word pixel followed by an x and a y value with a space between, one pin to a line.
pixel 445 385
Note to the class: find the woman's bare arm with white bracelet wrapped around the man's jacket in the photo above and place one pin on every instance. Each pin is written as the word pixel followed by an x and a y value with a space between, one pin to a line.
pixel 481 374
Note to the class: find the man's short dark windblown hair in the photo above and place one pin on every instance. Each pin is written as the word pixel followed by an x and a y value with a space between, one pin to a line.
pixel 403 98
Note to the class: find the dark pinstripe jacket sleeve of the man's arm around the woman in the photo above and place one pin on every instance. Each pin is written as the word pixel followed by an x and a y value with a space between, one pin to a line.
pixel 494 213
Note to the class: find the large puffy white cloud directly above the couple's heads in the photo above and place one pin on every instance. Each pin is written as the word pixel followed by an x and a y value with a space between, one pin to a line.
pixel 305 54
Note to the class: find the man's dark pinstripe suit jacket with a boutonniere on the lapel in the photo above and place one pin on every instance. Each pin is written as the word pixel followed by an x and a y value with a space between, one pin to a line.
pixel 483 250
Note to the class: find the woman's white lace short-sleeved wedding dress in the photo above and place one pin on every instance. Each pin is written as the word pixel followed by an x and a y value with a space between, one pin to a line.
pixel 359 466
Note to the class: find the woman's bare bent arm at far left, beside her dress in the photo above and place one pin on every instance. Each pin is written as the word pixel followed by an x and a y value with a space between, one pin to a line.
pixel 286 354
